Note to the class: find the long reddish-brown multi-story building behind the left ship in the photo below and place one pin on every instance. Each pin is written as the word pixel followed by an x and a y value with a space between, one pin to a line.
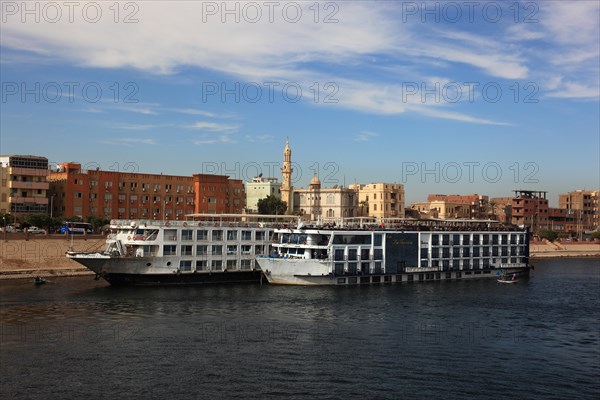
pixel 123 195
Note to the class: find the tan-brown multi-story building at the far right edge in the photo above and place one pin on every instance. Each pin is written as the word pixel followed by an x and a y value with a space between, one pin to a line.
pixel 583 208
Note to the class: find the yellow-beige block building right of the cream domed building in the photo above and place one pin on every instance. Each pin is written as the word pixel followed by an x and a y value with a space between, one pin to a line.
pixel 380 200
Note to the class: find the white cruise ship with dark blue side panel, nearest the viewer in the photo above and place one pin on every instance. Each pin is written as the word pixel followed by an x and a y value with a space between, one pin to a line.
pixel 395 252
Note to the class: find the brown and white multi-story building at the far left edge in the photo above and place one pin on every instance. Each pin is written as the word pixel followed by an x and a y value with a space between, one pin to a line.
pixel 24 185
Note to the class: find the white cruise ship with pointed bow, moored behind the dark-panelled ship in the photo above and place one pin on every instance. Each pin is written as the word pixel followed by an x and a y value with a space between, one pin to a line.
pixel 206 248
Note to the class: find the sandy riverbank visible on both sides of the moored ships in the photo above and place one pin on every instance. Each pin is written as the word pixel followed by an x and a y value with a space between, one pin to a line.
pixel 45 255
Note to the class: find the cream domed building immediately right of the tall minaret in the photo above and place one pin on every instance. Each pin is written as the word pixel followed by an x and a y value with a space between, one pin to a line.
pixel 325 204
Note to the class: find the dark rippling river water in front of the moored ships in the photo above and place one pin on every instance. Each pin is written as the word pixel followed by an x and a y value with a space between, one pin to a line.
pixel 81 338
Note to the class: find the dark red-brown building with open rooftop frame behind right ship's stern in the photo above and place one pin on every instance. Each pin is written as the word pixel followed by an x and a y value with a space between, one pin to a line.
pixel 530 208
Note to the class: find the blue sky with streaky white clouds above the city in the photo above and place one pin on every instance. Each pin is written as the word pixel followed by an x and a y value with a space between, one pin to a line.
pixel 442 96
